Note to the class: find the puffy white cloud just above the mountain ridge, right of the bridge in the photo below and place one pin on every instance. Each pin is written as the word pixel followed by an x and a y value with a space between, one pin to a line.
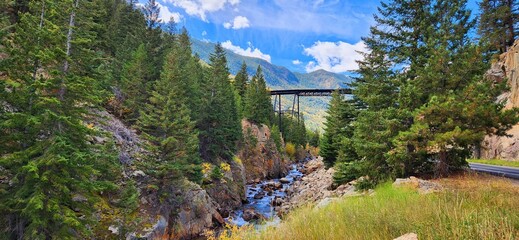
pixel 334 56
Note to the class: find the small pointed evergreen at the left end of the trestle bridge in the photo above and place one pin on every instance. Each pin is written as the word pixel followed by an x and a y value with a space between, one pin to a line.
pixel 257 107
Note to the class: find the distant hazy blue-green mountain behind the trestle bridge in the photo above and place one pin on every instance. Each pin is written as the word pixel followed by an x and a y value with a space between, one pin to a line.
pixel 278 77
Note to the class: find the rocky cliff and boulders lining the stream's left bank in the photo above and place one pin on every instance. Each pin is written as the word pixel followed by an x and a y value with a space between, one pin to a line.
pixel 190 209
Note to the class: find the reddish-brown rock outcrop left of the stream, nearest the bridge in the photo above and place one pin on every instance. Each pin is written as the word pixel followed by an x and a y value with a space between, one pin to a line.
pixel 259 155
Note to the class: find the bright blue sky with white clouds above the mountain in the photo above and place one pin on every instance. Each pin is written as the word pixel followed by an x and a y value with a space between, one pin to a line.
pixel 302 35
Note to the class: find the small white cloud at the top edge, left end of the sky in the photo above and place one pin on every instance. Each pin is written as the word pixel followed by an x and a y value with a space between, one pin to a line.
pixel 201 7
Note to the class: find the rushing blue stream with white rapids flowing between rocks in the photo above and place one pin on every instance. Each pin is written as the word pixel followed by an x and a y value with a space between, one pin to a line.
pixel 260 198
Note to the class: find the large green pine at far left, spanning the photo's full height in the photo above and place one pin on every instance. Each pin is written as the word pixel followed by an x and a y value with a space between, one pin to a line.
pixel 47 152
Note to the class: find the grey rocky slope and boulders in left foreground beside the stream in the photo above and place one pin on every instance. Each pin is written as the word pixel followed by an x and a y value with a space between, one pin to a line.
pixel 188 210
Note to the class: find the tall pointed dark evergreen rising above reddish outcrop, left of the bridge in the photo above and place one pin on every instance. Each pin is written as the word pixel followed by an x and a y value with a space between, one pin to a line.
pixel 219 124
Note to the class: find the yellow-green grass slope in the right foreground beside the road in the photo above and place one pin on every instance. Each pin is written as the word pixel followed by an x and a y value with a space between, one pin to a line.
pixel 473 207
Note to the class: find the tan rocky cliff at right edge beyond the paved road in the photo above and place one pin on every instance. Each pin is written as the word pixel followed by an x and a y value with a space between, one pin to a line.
pixel 505 69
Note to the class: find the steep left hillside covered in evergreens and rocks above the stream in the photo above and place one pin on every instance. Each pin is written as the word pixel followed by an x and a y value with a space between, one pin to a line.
pixel 168 169
